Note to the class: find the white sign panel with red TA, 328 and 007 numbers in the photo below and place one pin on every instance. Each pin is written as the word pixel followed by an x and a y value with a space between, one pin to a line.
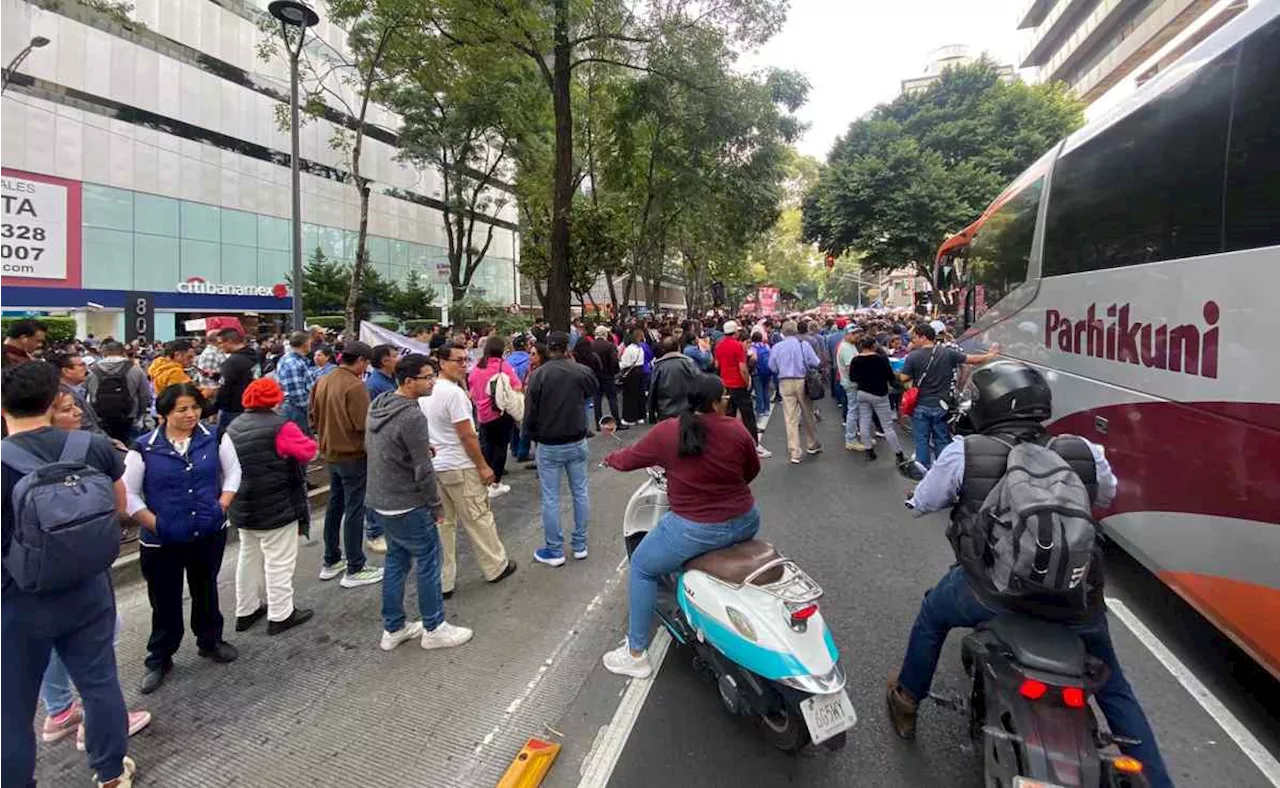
pixel 33 228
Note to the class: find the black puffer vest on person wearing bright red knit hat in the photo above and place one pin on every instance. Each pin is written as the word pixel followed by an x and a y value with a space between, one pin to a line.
pixel 273 492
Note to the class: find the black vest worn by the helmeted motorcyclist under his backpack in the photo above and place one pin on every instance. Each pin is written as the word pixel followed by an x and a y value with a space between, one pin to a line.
pixel 985 461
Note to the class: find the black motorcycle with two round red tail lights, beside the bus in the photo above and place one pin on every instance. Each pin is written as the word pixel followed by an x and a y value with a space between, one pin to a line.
pixel 1030 708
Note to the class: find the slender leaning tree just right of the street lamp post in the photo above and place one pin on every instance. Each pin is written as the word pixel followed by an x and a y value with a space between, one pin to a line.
pixel 348 81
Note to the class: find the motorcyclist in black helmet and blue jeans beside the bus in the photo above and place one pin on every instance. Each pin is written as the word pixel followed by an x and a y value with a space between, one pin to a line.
pixel 1011 401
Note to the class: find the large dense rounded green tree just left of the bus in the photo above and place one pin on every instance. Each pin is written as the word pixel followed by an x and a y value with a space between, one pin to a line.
pixel 925 166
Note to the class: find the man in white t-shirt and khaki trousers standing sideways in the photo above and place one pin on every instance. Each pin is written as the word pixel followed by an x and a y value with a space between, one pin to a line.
pixel 461 473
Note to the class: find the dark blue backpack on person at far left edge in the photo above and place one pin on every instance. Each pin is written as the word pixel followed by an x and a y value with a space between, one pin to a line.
pixel 65 523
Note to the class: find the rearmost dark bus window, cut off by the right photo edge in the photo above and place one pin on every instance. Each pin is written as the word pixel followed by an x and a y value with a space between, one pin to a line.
pixel 1254 163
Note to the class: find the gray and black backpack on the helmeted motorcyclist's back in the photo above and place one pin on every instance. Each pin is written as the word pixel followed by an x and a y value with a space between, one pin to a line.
pixel 1039 521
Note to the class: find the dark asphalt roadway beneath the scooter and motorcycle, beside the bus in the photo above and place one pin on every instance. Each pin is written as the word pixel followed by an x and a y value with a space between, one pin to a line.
pixel 844 523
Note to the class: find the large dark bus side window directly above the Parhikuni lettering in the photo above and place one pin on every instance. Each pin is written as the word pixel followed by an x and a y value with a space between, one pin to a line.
pixel 1150 187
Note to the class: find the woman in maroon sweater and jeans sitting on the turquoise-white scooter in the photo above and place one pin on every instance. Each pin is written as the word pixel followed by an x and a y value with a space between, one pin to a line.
pixel 710 460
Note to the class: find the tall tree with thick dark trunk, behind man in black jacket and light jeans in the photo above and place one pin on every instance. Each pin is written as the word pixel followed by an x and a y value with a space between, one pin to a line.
pixel 560 36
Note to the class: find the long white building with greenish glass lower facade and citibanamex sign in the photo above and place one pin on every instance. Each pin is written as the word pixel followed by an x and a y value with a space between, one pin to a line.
pixel 152 158
